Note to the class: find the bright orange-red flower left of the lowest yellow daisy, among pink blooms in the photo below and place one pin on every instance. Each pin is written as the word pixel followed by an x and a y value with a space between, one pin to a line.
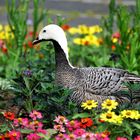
pixel 86 122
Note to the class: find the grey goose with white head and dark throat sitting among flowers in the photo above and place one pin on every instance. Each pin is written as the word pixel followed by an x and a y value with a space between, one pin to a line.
pixel 89 83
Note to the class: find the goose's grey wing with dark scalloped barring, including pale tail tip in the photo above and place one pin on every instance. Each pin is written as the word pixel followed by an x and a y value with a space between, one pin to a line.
pixel 105 81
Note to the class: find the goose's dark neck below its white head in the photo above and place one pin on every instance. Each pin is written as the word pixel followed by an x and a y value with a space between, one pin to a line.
pixel 62 61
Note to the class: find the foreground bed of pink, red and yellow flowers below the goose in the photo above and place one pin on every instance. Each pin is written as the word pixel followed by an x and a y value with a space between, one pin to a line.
pixel 103 124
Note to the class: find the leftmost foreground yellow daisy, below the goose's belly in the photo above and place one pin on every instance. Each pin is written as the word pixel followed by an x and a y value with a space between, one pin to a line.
pixel 89 104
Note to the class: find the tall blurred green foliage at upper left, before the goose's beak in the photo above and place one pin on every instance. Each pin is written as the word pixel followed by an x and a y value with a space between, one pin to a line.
pixel 15 35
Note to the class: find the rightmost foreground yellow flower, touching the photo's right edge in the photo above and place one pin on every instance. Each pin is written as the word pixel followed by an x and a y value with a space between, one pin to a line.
pixel 133 114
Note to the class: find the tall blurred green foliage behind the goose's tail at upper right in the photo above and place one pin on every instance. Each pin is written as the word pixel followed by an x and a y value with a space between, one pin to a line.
pixel 127 46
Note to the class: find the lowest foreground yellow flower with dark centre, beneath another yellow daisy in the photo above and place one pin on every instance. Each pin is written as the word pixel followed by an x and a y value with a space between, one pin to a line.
pixel 110 117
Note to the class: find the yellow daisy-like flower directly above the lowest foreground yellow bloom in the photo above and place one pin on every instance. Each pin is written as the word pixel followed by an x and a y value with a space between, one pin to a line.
pixel 109 104
